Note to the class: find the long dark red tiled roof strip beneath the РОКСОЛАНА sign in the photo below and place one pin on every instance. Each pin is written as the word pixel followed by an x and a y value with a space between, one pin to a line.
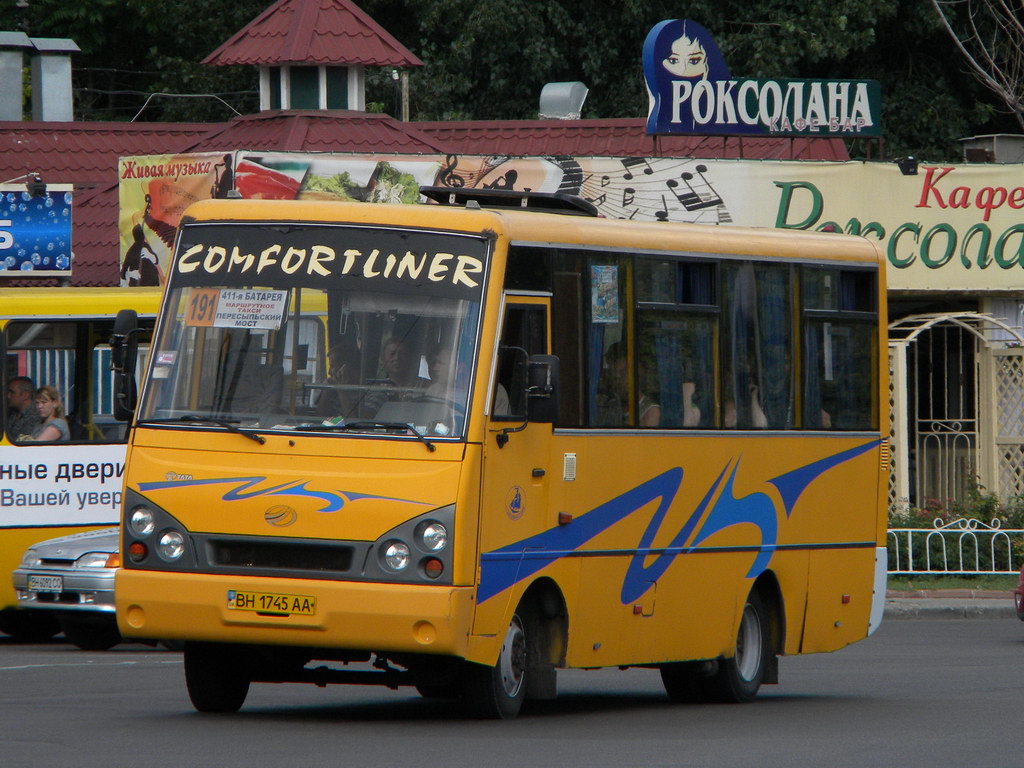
pixel 619 138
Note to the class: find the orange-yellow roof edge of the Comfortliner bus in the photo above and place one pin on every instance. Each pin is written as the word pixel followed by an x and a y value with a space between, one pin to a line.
pixel 520 226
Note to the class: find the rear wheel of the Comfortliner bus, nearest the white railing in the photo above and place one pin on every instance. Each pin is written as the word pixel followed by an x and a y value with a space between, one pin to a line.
pixel 739 677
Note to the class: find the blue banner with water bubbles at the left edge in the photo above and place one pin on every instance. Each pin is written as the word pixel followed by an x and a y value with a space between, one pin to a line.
pixel 35 231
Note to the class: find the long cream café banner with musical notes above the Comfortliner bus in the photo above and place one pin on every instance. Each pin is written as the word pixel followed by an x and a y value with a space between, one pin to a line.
pixel 949 228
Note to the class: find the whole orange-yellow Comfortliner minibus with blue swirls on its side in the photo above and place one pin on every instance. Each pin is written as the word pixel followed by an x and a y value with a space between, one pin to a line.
pixel 539 440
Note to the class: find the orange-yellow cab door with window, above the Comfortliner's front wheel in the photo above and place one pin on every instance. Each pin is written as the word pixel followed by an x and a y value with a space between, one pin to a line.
pixel 517 472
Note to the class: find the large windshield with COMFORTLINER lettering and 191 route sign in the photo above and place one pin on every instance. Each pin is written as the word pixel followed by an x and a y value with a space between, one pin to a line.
pixel 337 330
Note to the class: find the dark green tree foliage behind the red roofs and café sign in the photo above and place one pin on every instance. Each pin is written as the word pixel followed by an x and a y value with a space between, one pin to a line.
pixel 489 60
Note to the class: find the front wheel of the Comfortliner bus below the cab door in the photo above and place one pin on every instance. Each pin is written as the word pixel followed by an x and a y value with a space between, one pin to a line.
pixel 498 693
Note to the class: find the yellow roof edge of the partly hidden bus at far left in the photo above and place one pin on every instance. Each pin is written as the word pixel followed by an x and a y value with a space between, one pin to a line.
pixel 20 304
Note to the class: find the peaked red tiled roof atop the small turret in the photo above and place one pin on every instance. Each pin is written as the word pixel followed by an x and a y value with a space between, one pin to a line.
pixel 314 32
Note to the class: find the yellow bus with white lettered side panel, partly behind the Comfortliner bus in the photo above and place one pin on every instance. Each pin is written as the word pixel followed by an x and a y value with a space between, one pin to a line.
pixel 59 337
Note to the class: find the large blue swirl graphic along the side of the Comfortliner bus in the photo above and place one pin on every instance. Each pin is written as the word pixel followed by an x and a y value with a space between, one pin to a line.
pixel 503 568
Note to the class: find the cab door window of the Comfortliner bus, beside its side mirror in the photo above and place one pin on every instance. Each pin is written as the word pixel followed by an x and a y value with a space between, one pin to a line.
pixel 526 328
